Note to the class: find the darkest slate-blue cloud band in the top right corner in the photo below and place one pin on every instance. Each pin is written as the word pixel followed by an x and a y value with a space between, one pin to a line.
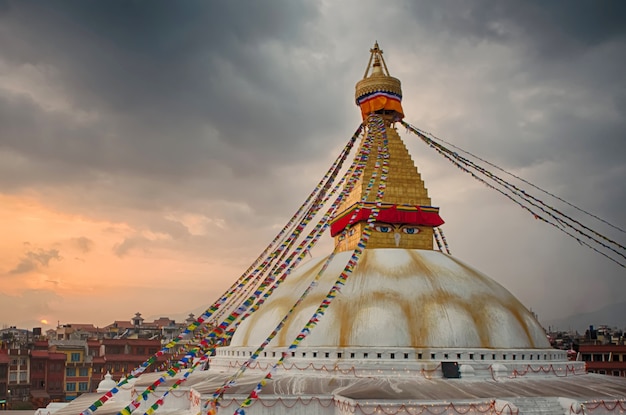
pixel 549 30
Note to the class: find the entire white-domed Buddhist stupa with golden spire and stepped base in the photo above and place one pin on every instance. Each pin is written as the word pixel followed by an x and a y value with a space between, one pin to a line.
pixel 405 327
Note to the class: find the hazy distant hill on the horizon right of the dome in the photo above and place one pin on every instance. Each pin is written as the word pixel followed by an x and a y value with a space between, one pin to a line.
pixel 613 315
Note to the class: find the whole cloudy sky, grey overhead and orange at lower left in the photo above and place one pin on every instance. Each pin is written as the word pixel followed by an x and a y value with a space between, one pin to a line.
pixel 149 150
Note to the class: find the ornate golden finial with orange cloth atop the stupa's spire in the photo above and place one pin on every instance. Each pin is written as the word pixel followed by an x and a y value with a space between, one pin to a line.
pixel 379 92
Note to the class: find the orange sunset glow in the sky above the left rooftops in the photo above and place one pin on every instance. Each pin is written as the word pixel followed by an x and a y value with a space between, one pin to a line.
pixel 60 264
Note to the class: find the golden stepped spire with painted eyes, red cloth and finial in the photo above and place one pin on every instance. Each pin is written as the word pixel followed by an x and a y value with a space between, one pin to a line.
pixel 406 219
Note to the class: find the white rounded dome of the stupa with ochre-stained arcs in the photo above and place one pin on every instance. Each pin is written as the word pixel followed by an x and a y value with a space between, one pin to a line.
pixel 398 298
